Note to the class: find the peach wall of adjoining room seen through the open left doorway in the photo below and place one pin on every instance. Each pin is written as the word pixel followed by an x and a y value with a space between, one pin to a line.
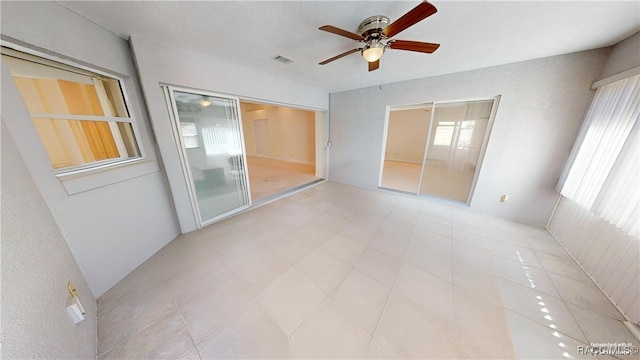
pixel 291 133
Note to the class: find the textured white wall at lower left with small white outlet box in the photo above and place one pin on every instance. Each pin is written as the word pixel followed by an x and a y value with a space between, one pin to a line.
pixel 36 266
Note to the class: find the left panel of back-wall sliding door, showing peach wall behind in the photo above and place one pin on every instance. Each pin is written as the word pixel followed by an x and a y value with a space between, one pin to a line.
pixel 407 132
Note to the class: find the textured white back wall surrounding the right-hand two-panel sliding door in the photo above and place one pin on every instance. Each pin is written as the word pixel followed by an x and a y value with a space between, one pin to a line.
pixel 542 104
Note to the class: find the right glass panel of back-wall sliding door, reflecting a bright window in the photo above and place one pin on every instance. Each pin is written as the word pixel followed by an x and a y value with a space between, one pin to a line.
pixel 457 135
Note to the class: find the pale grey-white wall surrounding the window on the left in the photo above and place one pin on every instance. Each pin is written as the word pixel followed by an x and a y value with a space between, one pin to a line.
pixel 117 218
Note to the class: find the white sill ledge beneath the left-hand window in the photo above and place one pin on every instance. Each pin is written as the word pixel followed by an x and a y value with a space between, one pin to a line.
pixel 90 179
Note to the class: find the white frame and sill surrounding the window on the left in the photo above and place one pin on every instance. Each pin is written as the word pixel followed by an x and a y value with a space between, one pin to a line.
pixel 33 151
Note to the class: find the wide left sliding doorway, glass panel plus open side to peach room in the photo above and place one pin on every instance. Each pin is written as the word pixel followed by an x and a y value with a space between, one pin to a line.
pixel 237 153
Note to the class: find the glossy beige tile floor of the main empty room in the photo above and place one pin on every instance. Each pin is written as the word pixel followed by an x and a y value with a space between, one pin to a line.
pixel 340 272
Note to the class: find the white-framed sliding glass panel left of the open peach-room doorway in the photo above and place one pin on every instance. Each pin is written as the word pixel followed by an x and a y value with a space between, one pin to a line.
pixel 208 130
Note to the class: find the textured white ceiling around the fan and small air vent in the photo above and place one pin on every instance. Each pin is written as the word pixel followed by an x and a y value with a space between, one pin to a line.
pixel 473 34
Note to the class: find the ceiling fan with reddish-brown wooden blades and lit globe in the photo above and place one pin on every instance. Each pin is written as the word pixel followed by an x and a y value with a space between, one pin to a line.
pixel 376 33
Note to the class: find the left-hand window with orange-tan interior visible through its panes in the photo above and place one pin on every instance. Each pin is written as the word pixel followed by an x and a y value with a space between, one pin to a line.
pixel 81 117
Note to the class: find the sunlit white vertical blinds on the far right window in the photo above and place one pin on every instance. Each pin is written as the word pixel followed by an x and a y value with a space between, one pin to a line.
pixel 603 173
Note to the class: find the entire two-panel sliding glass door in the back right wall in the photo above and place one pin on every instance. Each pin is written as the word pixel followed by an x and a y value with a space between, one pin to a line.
pixel 436 149
